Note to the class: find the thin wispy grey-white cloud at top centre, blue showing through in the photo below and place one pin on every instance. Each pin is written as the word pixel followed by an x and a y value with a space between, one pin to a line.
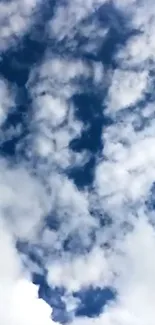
pixel 74 21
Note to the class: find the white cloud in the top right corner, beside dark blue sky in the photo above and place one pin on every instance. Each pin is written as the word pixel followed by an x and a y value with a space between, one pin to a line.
pixel 139 50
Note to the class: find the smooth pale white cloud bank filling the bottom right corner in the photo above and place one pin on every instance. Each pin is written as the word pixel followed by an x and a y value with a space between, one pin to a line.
pixel 134 283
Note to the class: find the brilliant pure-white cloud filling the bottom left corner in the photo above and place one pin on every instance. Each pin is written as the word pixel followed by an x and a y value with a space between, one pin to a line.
pixel 19 303
